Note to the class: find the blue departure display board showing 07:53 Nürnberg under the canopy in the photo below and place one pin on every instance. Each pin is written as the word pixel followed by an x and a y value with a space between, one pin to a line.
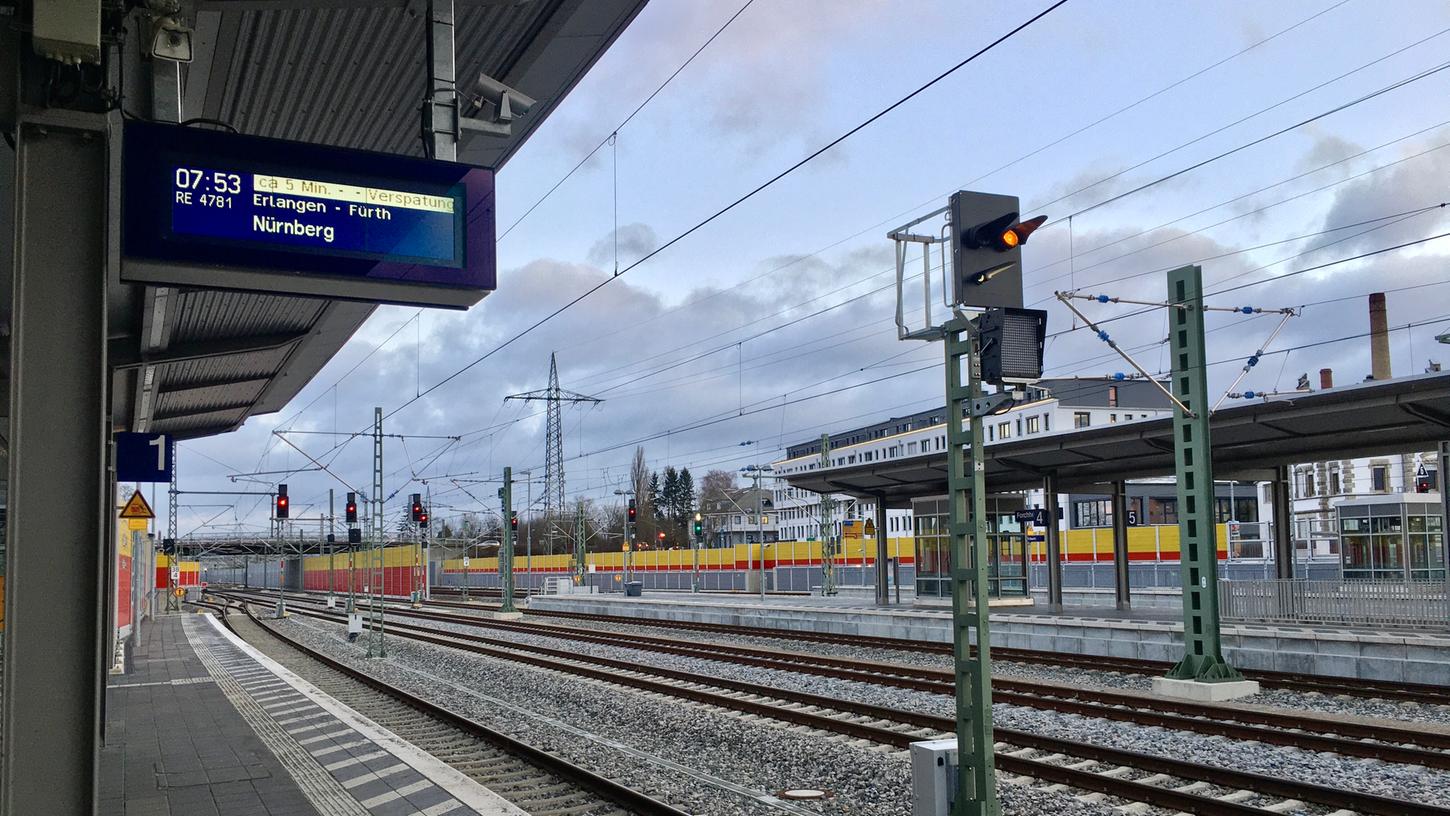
pixel 207 208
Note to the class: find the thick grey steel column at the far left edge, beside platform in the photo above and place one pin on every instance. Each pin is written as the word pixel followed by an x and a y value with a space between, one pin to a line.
pixel 59 509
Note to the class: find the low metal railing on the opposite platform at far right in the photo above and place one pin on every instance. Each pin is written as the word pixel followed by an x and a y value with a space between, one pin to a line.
pixel 1342 604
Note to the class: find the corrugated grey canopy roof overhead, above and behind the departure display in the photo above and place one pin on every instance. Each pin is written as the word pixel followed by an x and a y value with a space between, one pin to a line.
pixel 350 73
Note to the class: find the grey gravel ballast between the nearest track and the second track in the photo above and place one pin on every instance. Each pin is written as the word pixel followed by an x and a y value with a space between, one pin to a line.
pixel 758 754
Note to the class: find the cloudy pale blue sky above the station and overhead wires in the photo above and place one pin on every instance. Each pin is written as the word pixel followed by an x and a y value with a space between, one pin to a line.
pixel 775 322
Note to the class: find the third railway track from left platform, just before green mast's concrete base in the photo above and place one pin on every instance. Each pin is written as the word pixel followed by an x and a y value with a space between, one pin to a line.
pixel 1384 743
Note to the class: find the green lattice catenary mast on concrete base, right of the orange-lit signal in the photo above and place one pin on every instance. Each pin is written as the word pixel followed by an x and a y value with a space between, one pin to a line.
pixel 1193 459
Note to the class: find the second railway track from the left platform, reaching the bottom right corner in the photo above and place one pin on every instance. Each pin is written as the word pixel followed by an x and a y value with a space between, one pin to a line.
pixel 1022 757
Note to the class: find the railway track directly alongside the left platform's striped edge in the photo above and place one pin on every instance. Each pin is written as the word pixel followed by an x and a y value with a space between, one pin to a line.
pixel 536 782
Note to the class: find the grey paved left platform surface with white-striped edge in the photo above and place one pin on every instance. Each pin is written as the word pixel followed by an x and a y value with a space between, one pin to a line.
pixel 204 725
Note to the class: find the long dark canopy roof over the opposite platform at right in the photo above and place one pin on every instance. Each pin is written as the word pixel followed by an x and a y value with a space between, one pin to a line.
pixel 1249 441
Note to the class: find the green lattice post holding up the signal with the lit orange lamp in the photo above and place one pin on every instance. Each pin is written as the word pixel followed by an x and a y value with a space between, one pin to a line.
pixel 977 770
